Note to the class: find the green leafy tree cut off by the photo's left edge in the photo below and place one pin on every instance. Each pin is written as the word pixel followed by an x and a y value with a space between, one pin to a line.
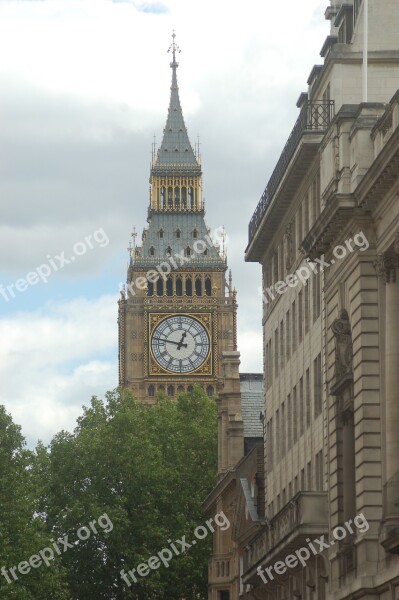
pixel 22 530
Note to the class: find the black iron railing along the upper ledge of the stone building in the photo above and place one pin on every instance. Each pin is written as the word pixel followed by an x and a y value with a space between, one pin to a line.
pixel 314 117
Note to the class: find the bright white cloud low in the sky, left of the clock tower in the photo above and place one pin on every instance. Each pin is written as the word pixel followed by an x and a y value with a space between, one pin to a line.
pixel 48 364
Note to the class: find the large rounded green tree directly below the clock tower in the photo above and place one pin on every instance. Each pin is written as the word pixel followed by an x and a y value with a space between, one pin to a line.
pixel 148 468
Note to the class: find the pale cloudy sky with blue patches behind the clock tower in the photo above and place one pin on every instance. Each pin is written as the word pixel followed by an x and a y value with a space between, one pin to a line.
pixel 84 87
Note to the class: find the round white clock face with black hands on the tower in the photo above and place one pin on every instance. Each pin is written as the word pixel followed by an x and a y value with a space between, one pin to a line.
pixel 180 344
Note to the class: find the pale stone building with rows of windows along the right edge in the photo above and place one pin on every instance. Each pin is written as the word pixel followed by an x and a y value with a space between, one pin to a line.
pixel 326 232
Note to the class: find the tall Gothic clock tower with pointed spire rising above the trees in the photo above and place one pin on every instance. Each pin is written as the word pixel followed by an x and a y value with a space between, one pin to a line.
pixel 177 314
